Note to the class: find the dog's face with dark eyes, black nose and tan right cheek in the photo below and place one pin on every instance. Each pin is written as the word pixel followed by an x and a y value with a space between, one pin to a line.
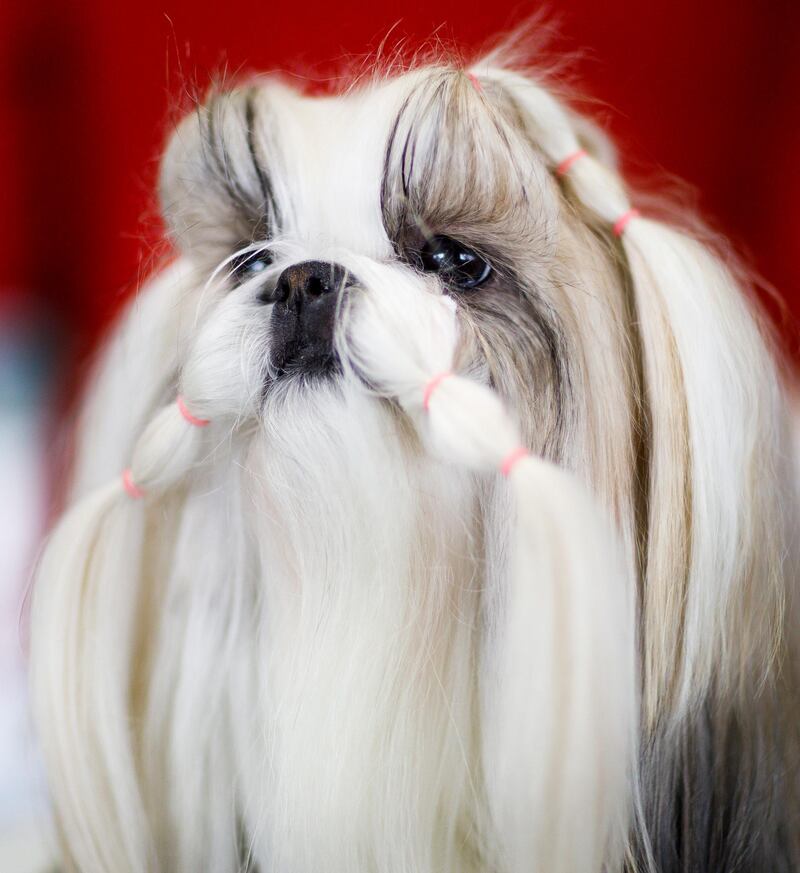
pixel 431 183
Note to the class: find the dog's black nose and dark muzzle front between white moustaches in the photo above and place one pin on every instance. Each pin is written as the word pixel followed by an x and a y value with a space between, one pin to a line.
pixel 306 299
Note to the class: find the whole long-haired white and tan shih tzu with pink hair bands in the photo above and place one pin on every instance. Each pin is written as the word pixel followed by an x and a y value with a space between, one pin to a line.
pixel 433 512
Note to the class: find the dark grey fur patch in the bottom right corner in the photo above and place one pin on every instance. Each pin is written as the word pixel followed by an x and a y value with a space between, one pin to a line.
pixel 718 794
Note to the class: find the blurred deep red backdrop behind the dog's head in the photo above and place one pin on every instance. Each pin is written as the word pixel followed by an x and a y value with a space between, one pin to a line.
pixel 707 91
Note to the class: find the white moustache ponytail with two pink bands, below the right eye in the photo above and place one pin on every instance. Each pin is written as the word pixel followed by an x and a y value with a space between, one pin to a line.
pixel 572 627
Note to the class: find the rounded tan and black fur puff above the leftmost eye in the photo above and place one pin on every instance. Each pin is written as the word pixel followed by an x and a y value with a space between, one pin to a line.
pixel 213 189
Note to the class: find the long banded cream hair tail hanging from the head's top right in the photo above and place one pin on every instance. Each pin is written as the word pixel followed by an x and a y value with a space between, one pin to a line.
pixel 711 399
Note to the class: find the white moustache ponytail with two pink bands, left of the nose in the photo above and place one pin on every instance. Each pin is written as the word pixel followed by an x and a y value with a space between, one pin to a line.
pixel 92 568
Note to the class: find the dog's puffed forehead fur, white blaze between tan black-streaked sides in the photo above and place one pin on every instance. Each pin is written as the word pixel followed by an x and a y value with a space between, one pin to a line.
pixel 355 170
